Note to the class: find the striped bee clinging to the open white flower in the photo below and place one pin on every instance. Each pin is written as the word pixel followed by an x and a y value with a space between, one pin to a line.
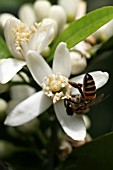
pixel 81 103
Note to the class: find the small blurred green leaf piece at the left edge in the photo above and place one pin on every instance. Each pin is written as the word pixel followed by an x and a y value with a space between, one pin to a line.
pixel 4 52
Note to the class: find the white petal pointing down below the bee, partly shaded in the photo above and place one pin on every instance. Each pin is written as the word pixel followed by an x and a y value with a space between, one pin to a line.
pixel 73 125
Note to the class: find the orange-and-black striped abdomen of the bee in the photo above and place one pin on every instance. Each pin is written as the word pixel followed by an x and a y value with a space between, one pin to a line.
pixel 89 88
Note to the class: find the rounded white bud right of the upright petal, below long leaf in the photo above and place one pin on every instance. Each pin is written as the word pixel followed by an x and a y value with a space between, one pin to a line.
pixel 78 62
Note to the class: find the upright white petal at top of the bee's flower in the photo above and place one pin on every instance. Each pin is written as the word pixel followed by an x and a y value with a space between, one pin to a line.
pixel 62 60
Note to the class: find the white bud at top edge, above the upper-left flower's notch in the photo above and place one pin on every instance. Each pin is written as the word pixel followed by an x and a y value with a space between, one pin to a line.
pixel 42 9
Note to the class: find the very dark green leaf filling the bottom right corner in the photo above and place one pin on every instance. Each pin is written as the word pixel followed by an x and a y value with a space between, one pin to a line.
pixel 94 155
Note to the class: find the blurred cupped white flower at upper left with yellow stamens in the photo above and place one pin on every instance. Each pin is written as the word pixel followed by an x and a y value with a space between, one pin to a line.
pixel 21 38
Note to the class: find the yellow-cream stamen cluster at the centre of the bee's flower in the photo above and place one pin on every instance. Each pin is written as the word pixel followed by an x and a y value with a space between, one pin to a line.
pixel 56 86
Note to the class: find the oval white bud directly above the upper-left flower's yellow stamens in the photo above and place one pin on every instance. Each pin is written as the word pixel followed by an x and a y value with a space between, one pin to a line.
pixel 27 15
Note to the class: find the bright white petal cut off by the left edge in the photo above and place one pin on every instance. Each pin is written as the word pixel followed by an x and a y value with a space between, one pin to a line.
pixel 8 68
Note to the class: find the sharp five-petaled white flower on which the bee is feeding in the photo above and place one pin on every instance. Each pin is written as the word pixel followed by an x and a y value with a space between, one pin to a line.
pixel 38 103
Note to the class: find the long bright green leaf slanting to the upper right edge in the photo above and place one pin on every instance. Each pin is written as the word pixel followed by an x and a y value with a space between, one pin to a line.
pixel 82 28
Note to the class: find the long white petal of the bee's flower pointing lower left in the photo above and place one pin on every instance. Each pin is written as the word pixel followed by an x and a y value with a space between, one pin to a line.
pixel 28 109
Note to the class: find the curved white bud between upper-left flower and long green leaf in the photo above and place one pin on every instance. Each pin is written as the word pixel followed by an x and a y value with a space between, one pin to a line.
pixel 58 14
